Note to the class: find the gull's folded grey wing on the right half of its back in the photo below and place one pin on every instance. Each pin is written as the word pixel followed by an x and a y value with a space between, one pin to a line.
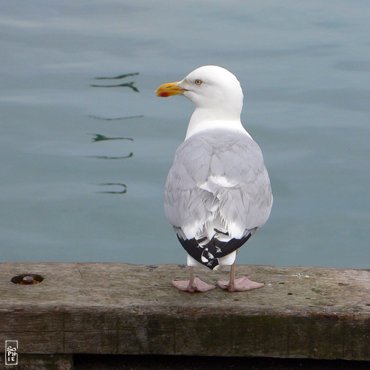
pixel 246 200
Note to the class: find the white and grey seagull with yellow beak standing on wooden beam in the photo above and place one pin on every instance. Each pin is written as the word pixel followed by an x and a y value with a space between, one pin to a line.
pixel 218 192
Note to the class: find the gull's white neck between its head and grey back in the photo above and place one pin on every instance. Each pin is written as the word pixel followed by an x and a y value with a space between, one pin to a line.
pixel 203 119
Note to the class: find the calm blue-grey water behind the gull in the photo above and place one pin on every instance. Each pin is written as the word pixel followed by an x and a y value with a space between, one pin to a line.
pixel 65 196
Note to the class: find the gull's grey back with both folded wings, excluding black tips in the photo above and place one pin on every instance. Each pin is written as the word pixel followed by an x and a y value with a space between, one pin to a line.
pixel 218 182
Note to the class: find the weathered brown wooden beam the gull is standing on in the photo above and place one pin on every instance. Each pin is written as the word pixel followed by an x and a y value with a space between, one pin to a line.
pixel 129 309
